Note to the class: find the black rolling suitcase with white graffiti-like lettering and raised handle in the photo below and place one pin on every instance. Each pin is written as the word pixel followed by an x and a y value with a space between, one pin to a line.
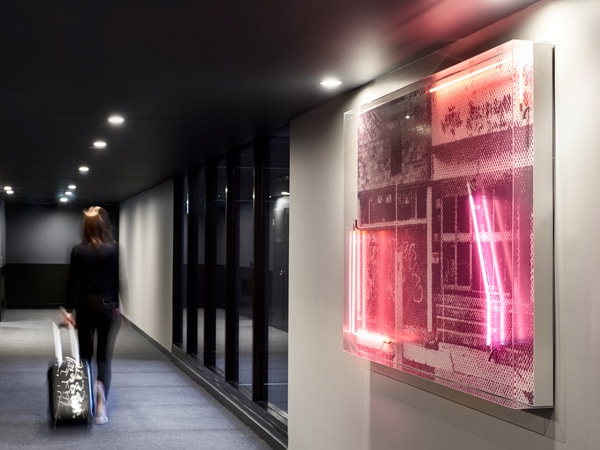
pixel 69 384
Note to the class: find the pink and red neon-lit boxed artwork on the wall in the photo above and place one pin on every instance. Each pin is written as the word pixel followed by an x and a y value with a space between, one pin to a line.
pixel 450 273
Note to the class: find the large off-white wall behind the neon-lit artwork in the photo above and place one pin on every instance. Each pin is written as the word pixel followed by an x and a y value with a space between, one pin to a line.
pixel 338 401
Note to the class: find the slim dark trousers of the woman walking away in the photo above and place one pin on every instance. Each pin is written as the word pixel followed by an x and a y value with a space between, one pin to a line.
pixel 104 326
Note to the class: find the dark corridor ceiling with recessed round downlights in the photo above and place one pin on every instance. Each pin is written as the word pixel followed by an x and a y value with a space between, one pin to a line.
pixel 192 78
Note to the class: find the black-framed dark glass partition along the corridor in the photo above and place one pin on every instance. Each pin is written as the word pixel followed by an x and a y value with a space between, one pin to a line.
pixel 231 266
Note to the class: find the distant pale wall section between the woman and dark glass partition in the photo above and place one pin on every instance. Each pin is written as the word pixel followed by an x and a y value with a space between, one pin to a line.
pixel 146 237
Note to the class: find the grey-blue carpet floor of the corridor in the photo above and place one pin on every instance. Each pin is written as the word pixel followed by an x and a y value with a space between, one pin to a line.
pixel 152 404
